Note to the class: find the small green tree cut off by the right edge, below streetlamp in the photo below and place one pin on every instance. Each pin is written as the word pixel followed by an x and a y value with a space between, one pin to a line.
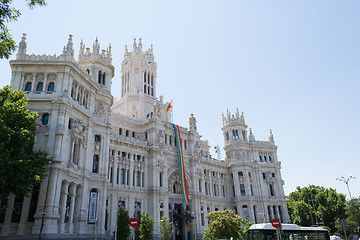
pixel 353 216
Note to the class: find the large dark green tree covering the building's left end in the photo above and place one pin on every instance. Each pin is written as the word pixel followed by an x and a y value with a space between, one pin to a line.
pixel 21 165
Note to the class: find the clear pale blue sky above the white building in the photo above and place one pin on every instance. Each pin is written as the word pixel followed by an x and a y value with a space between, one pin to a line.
pixel 291 66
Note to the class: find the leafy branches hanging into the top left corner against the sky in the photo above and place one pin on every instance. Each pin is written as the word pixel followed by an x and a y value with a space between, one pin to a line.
pixel 9 14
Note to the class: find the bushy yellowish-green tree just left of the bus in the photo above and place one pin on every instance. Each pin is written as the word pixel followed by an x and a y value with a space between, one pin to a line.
pixel 225 224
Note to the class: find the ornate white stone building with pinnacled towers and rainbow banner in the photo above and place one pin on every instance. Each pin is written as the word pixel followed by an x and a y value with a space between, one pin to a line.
pixel 109 153
